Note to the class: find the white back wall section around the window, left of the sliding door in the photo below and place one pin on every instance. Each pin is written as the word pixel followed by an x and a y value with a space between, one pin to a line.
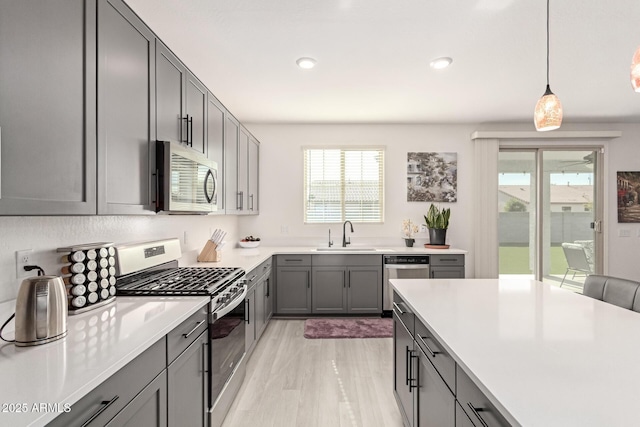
pixel 281 183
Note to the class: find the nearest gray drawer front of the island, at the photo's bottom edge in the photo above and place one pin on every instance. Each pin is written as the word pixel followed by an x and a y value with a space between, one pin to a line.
pixel 475 404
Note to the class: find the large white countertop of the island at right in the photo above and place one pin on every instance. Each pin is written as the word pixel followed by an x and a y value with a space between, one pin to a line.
pixel 545 356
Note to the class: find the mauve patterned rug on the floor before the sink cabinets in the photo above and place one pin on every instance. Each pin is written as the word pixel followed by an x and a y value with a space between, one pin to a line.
pixel 348 328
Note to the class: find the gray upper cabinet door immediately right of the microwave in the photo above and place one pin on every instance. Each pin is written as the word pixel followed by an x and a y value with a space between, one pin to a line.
pixel 215 143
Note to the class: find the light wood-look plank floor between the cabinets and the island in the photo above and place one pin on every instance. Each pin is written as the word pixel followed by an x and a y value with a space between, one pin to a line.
pixel 294 382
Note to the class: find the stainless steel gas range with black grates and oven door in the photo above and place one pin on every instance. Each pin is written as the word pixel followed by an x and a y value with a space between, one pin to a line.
pixel 151 268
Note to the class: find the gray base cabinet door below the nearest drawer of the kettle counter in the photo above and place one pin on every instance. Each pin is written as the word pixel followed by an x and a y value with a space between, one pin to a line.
pixel 148 409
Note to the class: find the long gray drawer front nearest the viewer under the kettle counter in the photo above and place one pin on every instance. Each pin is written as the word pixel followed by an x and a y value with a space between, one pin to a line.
pixel 104 402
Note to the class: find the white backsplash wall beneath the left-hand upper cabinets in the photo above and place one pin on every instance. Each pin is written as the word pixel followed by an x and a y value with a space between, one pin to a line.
pixel 45 234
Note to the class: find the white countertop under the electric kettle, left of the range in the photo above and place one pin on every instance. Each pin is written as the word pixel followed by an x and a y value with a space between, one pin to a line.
pixel 98 344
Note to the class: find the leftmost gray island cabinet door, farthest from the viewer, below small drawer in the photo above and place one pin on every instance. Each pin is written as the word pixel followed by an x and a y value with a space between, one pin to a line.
pixel 403 346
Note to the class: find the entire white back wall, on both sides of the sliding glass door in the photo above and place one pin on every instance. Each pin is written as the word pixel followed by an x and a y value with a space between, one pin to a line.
pixel 282 191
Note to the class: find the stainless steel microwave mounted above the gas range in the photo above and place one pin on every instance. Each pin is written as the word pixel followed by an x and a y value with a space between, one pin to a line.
pixel 186 181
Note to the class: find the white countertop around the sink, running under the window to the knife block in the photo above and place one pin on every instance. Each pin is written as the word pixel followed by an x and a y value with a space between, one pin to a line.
pixel 248 259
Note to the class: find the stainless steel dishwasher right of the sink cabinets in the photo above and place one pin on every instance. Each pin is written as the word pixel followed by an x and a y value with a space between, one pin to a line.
pixel 401 267
